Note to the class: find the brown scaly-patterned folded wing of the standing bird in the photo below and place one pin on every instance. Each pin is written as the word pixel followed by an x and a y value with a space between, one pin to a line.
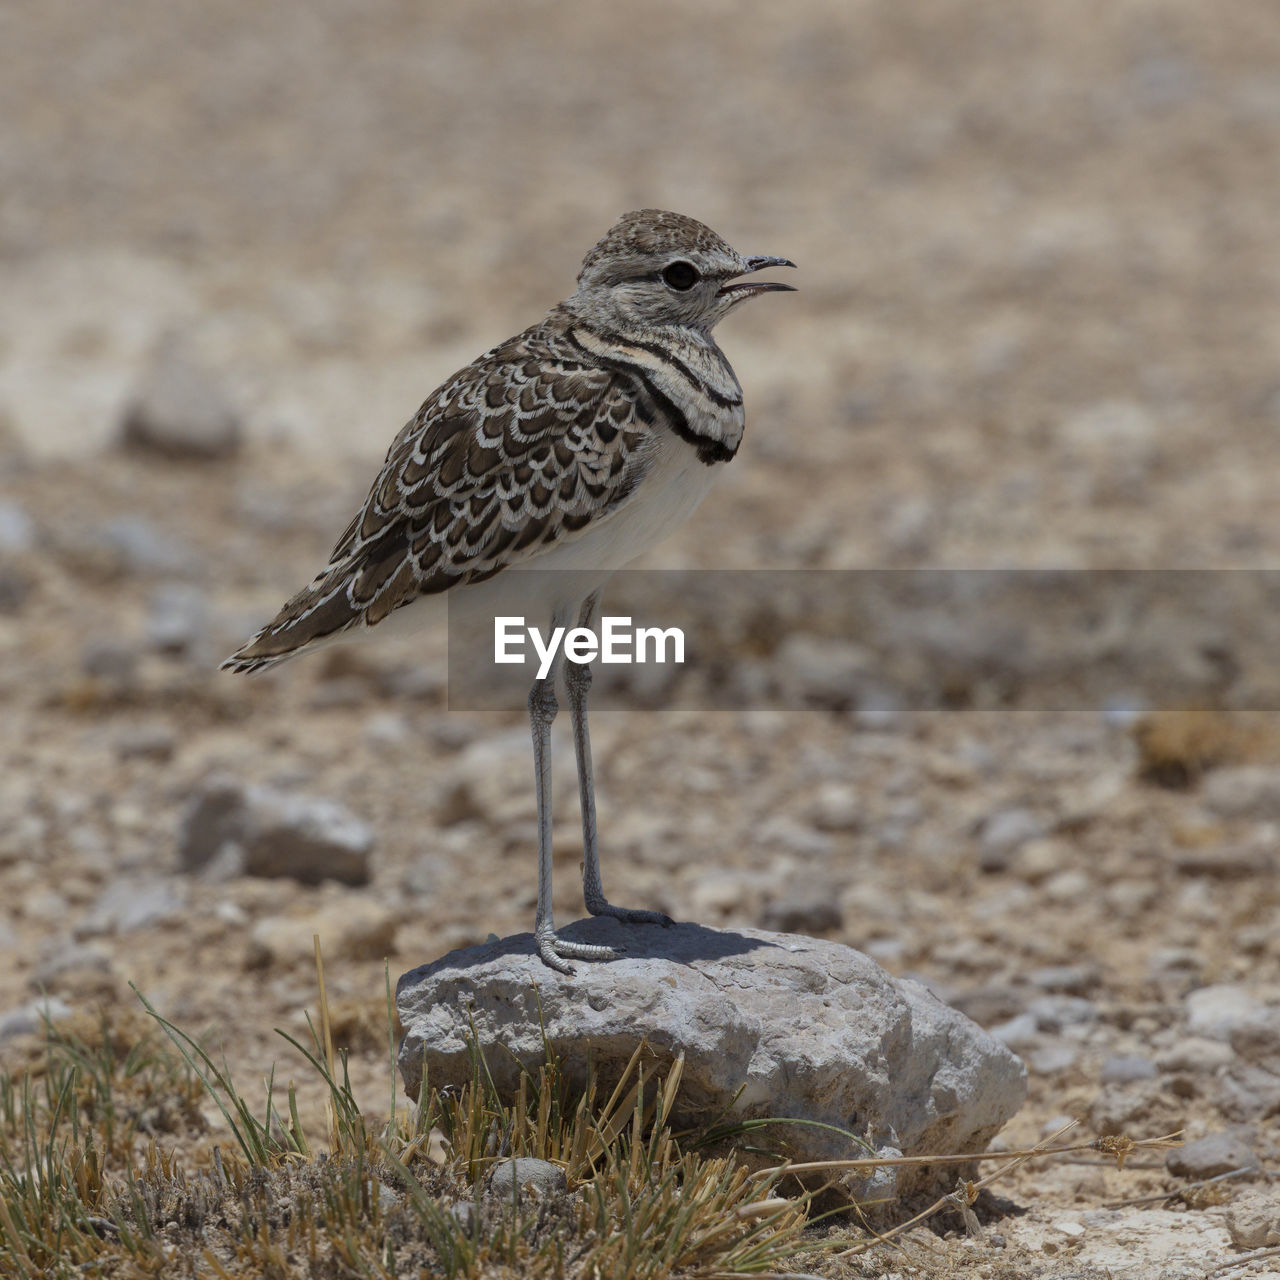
pixel 527 447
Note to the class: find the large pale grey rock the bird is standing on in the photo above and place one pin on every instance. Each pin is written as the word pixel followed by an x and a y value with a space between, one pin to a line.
pixel 815 1031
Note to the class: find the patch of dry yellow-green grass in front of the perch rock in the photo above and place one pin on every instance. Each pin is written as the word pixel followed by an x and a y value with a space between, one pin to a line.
pixel 109 1168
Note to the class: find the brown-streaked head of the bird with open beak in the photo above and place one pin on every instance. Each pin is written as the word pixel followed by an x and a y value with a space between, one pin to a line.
pixel 655 269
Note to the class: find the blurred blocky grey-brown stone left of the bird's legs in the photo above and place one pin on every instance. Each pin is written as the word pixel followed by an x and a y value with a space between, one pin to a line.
pixel 272 833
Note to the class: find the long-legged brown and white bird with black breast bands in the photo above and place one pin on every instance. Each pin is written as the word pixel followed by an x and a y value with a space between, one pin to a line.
pixel 577 445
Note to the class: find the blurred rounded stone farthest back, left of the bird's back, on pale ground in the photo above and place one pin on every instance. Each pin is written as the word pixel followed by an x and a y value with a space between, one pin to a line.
pixel 180 412
